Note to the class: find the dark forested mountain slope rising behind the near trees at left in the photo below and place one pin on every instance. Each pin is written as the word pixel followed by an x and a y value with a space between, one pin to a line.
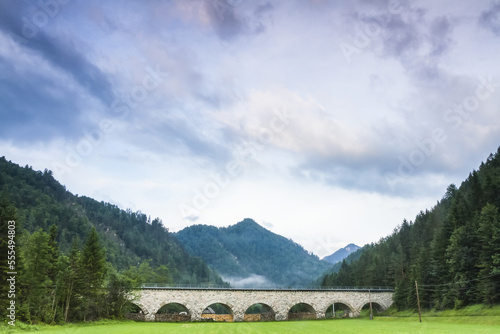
pixel 128 237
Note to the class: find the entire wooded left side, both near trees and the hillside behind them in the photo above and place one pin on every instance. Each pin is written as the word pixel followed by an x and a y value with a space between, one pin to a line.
pixel 77 258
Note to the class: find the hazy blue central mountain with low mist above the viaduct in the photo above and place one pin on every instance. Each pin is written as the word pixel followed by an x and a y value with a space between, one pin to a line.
pixel 248 255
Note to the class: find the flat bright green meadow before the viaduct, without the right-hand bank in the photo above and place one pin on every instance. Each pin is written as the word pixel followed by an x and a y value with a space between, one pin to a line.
pixel 382 325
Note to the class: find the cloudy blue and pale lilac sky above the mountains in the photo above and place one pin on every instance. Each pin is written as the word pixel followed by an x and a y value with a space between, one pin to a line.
pixel 328 122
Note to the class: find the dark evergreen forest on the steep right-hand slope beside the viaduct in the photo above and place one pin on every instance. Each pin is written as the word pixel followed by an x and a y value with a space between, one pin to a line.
pixel 451 250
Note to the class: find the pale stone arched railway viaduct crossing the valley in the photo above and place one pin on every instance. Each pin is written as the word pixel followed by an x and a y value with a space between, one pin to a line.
pixel 278 302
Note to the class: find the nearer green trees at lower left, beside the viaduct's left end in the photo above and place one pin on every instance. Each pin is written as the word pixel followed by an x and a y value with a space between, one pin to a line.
pixel 55 287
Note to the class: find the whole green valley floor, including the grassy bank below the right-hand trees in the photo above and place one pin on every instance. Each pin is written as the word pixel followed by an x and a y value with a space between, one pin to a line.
pixel 479 319
